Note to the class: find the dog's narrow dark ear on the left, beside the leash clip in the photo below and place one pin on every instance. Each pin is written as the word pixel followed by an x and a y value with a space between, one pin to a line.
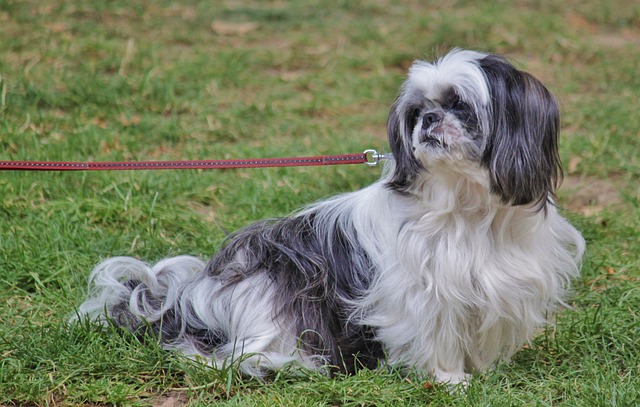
pixel 402 119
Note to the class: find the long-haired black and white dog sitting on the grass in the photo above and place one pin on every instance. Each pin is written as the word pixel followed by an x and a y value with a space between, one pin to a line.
pixel 446 265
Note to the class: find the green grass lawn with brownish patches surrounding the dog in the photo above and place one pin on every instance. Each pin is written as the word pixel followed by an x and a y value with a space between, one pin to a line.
pixel 90 80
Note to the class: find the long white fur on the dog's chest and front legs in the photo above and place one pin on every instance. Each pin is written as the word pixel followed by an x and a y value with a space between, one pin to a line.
pixel 460 275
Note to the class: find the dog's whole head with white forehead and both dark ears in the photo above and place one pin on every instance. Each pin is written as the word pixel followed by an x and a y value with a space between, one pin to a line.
pixel 473 110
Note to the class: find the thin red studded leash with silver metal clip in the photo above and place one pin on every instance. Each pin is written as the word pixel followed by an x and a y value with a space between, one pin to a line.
pixel 369 157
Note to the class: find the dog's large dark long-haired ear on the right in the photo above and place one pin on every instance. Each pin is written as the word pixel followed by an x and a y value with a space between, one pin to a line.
pixel 521 153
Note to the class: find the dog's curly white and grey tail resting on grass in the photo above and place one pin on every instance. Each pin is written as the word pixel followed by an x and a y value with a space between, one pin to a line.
pixel 132 293
